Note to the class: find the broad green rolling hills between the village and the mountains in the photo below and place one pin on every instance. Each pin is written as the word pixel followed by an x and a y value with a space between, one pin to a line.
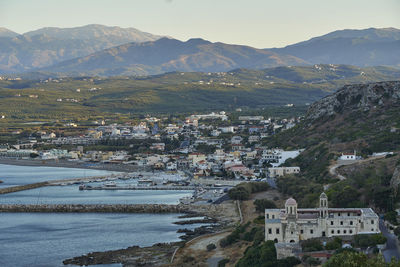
pixel 178 91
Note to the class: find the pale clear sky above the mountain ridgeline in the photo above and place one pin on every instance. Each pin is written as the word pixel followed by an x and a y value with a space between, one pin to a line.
pixel 257 23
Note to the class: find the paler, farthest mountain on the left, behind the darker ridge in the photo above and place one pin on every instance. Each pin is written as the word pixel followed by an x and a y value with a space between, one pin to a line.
pixel 48 46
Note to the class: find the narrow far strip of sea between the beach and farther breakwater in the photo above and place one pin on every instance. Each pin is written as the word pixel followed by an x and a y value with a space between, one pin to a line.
pixel 20 175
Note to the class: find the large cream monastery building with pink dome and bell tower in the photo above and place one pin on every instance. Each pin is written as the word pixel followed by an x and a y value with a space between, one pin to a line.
pixel 290 225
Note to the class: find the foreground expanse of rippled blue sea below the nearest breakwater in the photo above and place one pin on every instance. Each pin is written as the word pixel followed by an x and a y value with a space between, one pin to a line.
pixel 42 239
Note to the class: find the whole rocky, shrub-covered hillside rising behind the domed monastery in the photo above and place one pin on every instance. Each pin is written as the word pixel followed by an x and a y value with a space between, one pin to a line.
pixel 361 117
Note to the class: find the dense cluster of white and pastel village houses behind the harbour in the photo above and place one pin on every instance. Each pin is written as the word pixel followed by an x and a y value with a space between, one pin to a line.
pixel 205 145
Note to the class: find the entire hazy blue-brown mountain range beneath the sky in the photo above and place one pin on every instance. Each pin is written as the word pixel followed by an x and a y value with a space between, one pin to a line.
pixel 110 51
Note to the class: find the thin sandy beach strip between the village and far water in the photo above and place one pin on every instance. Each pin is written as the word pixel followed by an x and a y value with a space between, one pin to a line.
pixel 71 164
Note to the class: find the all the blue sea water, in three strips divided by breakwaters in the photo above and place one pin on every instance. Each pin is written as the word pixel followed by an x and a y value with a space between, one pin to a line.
pixel 43 239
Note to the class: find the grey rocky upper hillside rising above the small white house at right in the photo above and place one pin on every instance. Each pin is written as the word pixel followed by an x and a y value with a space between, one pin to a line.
pixel 364 117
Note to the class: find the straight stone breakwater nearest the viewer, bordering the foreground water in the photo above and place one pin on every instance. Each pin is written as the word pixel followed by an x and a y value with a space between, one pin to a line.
pixel 98 208
